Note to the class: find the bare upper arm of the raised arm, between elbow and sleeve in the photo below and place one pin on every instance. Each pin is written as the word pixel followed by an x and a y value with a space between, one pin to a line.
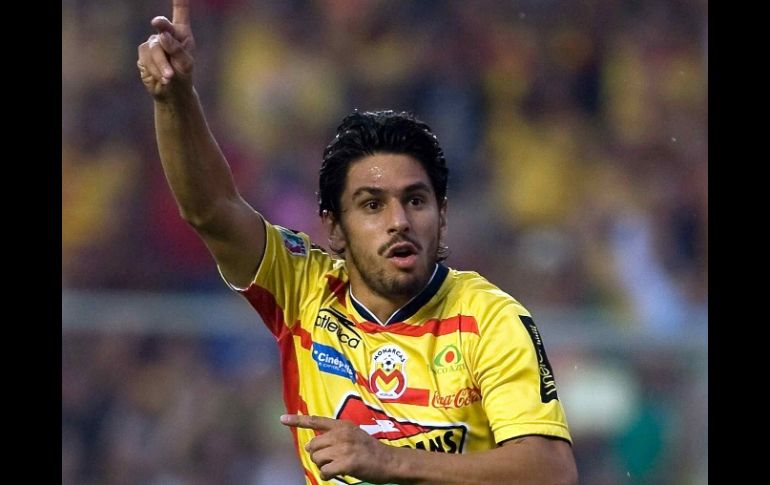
pixel 236 239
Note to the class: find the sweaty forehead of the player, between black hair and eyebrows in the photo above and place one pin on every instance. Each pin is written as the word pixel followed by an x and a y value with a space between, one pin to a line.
pixel 389 172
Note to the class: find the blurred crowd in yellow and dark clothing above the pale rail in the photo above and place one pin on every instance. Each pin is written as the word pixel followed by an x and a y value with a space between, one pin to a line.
pixel 576 134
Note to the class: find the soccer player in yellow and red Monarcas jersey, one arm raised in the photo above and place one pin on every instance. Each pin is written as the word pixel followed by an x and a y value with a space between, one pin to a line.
pixel 396 368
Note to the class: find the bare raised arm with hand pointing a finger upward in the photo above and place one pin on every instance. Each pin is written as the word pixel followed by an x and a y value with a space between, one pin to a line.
pixel 197 171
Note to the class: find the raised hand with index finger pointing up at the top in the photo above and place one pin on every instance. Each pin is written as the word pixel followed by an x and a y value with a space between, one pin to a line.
pixel 166 59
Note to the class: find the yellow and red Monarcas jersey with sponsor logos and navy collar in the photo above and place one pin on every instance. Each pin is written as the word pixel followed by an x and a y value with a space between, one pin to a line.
pixel 460 368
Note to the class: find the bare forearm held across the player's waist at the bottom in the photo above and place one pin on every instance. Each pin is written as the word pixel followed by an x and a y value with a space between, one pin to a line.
pixel 518 463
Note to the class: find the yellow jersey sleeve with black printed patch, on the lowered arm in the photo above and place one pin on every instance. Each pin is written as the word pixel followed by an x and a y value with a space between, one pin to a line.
pixel 516 380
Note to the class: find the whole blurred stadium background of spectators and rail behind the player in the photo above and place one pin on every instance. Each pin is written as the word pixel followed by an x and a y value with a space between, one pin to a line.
pixel 576 133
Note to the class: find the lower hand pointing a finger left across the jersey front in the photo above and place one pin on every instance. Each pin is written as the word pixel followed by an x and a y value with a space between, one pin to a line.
pixel 342 448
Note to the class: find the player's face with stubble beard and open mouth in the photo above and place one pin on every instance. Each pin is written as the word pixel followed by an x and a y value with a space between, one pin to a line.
pixel 390 225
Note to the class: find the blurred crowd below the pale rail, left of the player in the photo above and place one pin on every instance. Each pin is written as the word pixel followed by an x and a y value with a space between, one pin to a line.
pixel 159 410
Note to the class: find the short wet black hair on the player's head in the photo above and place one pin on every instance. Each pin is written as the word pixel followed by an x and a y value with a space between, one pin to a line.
pixel 370 132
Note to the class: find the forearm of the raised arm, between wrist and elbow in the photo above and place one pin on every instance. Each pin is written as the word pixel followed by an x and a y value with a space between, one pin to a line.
pixel 196 170
